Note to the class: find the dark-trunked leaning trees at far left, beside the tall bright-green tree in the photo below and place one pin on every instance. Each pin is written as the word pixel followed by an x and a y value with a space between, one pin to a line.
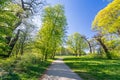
pixel 15 26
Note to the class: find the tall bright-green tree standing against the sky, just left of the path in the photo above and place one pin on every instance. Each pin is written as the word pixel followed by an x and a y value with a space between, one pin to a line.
pixel 53 30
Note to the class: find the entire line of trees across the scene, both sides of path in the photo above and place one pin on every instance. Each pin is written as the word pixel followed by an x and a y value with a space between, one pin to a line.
pixel 16 29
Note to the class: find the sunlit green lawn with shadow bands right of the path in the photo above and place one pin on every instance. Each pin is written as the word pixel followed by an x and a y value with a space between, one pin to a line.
pixel 94 69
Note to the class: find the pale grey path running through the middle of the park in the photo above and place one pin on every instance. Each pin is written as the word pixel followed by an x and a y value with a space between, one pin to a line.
pixel 60 71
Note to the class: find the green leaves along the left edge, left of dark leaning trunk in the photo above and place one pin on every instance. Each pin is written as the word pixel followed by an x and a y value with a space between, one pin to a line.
pixel 8 20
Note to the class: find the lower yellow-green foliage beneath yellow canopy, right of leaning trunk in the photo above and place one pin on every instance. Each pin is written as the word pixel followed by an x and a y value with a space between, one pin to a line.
pixel 112 42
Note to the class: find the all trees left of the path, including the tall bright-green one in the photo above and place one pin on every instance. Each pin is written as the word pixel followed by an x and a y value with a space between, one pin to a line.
pixel 16 27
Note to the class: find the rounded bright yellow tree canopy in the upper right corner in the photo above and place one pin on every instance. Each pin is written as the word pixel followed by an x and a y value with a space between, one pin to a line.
pixel 108 19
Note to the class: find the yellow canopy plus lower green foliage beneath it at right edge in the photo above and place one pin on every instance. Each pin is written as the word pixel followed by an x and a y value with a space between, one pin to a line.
pixel 107 23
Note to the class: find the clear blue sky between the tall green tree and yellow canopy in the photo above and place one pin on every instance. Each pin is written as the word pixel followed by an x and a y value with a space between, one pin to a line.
pixel 80 14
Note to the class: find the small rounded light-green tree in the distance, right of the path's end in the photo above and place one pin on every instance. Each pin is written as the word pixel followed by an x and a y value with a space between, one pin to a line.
pixel 76 43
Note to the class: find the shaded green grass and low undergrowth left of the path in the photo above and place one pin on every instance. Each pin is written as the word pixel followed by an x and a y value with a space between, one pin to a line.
pixel 23 68
